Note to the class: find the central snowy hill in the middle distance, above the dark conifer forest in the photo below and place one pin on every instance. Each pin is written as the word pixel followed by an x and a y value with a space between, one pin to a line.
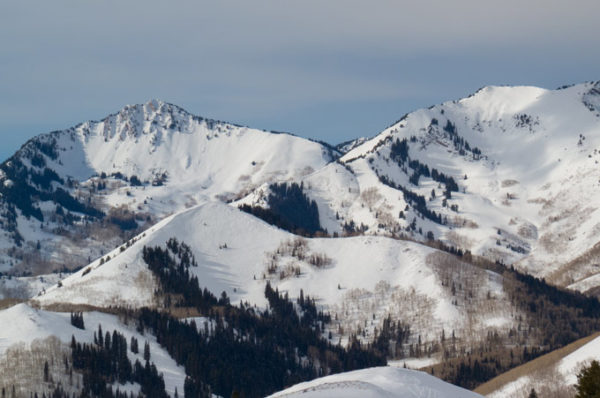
pixel 366 279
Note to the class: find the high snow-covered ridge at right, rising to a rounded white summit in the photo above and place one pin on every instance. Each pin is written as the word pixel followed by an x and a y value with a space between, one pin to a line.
pixel 517 148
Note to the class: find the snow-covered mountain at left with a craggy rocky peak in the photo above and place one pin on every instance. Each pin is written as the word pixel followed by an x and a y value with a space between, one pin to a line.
pixel 69 196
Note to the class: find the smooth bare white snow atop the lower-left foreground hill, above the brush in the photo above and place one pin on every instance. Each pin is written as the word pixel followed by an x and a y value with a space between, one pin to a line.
pixel 24 324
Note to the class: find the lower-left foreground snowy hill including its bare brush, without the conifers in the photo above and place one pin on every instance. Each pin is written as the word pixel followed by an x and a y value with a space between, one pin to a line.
pixel 27 330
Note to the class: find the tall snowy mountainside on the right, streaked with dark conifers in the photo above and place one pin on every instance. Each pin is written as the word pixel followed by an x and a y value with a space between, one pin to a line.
pixel 524 160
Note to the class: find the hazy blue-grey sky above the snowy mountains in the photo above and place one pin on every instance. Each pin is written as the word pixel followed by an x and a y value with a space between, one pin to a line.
pixel 330 70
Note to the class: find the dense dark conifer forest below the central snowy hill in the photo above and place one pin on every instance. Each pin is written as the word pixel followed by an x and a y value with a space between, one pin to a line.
pixel 241 349
